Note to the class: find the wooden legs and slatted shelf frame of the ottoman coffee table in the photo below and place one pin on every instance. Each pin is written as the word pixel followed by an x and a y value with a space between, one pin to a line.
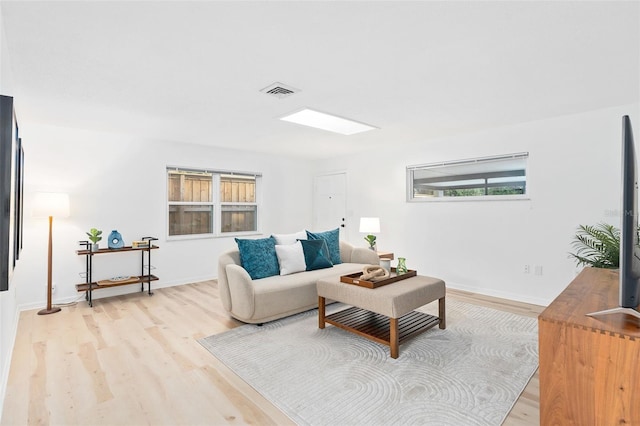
pixel 388 331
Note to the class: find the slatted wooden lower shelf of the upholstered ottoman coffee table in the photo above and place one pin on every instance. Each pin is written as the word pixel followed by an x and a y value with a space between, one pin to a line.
pixel 377 328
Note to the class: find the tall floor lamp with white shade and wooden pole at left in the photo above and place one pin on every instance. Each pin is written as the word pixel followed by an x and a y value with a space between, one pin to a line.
pixel 50 204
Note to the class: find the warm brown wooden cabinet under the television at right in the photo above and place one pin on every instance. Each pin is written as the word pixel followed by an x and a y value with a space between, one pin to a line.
pixel 589 366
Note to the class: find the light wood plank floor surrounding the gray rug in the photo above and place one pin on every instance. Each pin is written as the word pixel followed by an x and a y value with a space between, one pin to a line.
pixel 135 360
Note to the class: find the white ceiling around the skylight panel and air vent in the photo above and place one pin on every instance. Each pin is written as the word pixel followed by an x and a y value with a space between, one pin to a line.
pixel 192 71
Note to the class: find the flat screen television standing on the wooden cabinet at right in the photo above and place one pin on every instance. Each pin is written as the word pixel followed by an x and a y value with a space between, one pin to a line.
pixel 629 297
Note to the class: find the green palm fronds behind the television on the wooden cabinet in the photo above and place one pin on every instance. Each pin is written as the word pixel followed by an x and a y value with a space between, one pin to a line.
pixel 597 246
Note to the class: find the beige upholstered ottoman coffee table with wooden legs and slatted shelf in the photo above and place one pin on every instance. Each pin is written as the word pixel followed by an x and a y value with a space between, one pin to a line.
pixel 385 314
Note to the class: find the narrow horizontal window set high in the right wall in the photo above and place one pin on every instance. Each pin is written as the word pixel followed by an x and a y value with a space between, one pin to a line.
pixel 498 177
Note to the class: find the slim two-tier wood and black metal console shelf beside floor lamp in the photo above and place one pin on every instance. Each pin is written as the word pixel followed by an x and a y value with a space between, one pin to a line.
pixel 89 286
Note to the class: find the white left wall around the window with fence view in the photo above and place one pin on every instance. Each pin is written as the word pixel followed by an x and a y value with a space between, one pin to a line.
pixel 119 182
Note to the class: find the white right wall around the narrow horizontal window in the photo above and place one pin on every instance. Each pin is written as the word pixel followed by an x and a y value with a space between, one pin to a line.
pixel 482 246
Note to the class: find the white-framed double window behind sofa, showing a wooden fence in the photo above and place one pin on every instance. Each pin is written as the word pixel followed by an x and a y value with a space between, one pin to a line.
pixel 211 203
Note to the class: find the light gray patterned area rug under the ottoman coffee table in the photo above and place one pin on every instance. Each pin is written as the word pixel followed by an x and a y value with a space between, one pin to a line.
pixel 469 374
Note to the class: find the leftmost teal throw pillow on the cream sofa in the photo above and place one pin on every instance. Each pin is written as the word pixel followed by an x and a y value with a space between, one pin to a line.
pixel 258 257
